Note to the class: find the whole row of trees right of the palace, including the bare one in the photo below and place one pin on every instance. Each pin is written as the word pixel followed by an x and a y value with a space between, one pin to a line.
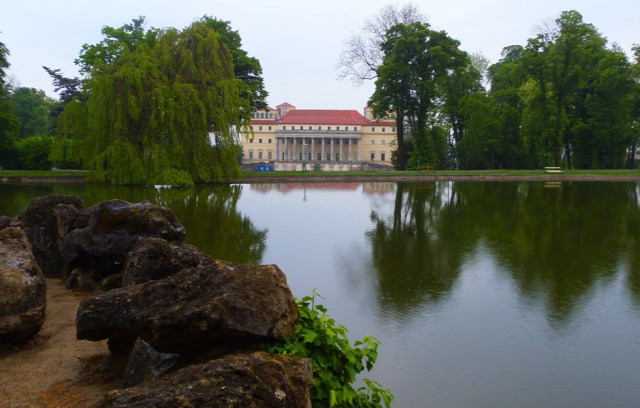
pixel 565 98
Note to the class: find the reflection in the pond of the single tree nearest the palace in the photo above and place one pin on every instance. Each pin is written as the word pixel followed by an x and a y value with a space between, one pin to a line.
pixel 416 254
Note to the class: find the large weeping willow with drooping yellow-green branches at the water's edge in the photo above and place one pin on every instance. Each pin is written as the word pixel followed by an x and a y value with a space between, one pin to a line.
pixel 164 102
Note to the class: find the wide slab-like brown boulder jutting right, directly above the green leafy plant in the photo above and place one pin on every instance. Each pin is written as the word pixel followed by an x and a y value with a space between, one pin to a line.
pixel 195 309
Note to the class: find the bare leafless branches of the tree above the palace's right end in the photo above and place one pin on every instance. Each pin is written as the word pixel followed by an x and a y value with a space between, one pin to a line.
pixel 362 54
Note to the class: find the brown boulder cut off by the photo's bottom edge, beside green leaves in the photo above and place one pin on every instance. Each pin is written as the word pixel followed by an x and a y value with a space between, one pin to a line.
pixel 242 380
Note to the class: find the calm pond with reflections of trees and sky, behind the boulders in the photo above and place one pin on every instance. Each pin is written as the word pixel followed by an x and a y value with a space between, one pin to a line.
pixel 483 294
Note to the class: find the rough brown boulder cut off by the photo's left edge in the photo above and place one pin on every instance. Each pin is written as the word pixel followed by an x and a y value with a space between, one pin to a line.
pixel 23 290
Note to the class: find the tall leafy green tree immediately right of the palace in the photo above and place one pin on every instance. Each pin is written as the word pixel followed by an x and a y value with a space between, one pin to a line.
pixel 416 79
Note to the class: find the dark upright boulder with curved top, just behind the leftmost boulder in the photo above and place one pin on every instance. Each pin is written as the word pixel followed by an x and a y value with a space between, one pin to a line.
pixel 40 221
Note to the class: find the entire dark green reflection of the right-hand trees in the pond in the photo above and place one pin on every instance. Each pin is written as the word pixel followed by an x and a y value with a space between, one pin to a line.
pixel 556 244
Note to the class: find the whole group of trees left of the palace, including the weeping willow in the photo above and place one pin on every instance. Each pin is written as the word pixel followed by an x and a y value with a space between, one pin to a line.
pixel 151 106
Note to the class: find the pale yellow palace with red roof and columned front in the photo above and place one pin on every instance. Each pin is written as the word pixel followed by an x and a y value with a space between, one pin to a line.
pixel 294 139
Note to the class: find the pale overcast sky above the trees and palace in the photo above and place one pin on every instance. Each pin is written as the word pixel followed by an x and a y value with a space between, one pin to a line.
pixel 297 41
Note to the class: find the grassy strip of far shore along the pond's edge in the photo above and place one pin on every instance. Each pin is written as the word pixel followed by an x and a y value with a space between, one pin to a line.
pixel 77 177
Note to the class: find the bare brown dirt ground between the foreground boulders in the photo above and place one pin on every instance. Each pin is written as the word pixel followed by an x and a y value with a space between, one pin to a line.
pixel 56 369
